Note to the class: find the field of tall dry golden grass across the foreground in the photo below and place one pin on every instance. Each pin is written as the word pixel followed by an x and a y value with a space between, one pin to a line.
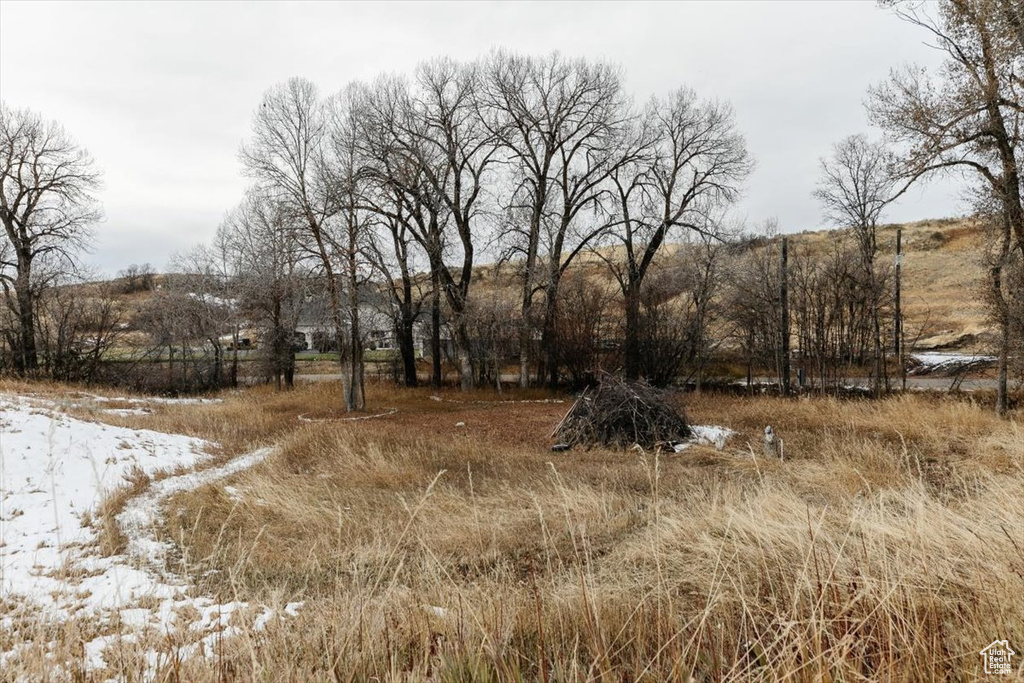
pixel 889 544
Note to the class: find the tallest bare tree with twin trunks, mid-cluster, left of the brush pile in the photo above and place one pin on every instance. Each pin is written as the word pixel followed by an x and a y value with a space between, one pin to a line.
pixel 562 123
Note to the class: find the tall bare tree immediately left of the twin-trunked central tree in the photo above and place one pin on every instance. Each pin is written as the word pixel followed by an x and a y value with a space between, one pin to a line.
pixel 434 147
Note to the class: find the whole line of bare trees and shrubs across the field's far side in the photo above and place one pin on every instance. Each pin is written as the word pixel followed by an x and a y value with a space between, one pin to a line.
pixel 394 194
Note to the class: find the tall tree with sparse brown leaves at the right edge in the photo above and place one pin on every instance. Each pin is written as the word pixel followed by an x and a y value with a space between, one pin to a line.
pixel 969 116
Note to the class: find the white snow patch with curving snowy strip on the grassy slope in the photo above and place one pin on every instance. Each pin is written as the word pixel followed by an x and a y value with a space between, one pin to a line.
pixel 55 471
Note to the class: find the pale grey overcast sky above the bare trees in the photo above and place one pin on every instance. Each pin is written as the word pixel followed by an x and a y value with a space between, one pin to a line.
pixel 162 94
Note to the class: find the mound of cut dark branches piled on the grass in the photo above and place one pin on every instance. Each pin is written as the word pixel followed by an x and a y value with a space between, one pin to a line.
pixel 619 415
